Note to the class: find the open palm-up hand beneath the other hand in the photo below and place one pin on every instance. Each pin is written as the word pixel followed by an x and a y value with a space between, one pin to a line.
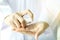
pixel 34 29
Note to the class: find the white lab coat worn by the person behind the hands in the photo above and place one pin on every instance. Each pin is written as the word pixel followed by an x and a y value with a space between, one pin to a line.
pixel 42 12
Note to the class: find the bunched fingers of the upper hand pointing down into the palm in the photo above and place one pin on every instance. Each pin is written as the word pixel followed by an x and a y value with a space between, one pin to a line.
pixel 16 19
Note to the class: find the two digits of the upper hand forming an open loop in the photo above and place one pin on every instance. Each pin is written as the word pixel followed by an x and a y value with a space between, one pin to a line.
pixel 20 15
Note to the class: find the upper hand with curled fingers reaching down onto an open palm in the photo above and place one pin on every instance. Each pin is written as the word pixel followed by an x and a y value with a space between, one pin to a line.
pixel 16 20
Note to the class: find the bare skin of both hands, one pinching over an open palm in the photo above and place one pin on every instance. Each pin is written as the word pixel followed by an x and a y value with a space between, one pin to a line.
pixel 18 24
